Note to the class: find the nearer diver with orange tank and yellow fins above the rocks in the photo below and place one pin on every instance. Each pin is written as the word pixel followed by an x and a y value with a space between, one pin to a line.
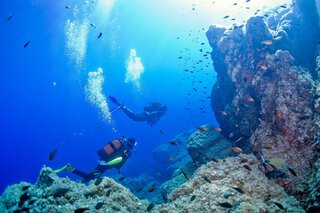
pixel 112 155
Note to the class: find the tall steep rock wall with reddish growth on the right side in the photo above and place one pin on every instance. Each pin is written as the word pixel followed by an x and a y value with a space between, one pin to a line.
pixel 271 75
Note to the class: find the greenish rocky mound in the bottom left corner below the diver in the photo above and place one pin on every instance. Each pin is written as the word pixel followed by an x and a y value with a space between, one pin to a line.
pixel 54 194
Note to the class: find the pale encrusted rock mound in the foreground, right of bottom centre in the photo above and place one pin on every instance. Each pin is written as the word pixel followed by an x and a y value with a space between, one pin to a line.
pixel 229 185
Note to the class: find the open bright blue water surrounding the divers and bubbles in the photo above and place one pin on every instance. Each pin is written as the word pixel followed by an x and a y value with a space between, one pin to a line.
pixel 42 88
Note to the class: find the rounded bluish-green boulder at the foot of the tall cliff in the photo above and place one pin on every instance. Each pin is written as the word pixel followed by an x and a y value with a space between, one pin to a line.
pixel 205 145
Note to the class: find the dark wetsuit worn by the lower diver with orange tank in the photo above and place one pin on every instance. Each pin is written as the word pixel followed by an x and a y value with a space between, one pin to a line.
pixel 124 152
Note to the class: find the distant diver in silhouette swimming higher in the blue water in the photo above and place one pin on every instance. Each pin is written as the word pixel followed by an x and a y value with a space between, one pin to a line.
pixel 151 113
